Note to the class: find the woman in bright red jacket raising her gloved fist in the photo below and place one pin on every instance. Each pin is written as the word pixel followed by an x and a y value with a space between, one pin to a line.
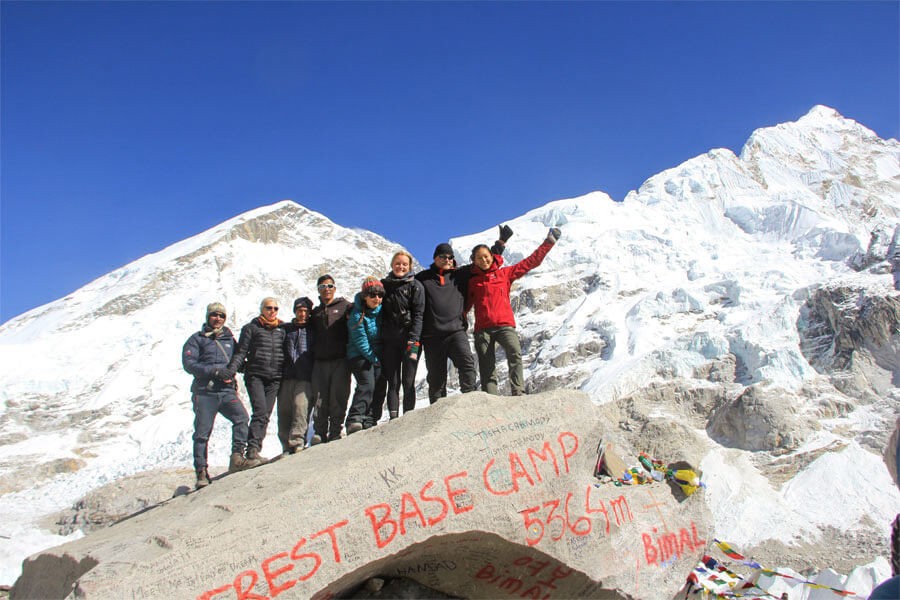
pixel 494 322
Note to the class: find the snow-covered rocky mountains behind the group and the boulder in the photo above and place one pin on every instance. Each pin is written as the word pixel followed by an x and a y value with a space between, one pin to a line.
pixel 735 311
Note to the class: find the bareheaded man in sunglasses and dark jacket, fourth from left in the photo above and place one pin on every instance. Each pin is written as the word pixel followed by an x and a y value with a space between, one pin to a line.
pixel 331 371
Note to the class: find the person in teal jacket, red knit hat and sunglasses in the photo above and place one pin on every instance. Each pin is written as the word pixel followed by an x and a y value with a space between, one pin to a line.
pixel 364 351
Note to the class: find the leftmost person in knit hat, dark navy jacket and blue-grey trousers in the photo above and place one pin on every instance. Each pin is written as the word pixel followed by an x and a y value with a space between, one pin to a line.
pixel 206 355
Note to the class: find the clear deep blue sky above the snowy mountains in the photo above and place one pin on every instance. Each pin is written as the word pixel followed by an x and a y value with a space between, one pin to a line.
pixel 128 126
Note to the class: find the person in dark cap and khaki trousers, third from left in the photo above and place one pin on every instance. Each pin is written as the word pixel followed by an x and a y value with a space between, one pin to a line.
pixel 295 399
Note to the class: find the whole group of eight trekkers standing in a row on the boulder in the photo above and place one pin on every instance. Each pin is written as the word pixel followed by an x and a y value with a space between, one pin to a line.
pixel 305 365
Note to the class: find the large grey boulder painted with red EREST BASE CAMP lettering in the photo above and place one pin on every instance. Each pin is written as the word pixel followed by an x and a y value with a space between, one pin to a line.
pixel 477 496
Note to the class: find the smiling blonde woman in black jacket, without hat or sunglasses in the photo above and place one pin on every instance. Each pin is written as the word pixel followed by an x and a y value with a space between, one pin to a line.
pixel 402 312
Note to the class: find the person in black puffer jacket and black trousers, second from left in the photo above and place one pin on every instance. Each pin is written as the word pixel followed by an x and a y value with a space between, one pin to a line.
pixel 260 355
